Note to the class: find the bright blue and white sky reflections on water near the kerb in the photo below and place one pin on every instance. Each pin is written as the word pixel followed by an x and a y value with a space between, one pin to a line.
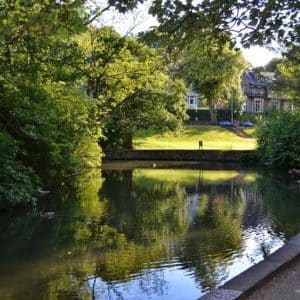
pixel 172 281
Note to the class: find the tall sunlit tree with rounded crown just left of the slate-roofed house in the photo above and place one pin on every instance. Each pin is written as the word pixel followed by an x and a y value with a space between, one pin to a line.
pixel 214 70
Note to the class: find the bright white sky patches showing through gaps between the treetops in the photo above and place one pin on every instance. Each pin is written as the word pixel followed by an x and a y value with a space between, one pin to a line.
pixel 139 20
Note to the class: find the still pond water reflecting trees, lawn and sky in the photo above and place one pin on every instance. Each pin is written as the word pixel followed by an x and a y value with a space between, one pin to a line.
pixel 146 233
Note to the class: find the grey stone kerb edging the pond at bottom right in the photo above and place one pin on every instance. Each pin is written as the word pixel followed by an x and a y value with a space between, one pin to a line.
pixel 242 285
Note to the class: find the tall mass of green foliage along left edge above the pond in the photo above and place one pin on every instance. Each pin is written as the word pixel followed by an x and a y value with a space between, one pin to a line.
pixel 41 107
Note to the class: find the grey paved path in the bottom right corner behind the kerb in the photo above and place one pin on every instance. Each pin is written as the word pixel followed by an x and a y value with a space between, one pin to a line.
pixel 283 286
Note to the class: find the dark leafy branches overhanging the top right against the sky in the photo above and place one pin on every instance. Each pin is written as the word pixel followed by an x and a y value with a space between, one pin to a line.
pixel 256 22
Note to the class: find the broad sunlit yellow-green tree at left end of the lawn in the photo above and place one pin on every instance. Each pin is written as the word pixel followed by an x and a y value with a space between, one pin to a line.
pixel 131 86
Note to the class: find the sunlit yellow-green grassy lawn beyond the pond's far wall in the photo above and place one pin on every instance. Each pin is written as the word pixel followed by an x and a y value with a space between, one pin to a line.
pixel 213 137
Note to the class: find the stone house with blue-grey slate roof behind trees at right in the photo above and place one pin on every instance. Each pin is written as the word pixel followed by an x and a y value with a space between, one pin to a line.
pixel 259 92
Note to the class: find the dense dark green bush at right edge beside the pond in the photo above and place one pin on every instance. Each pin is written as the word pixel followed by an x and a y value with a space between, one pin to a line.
pixel 279 140
